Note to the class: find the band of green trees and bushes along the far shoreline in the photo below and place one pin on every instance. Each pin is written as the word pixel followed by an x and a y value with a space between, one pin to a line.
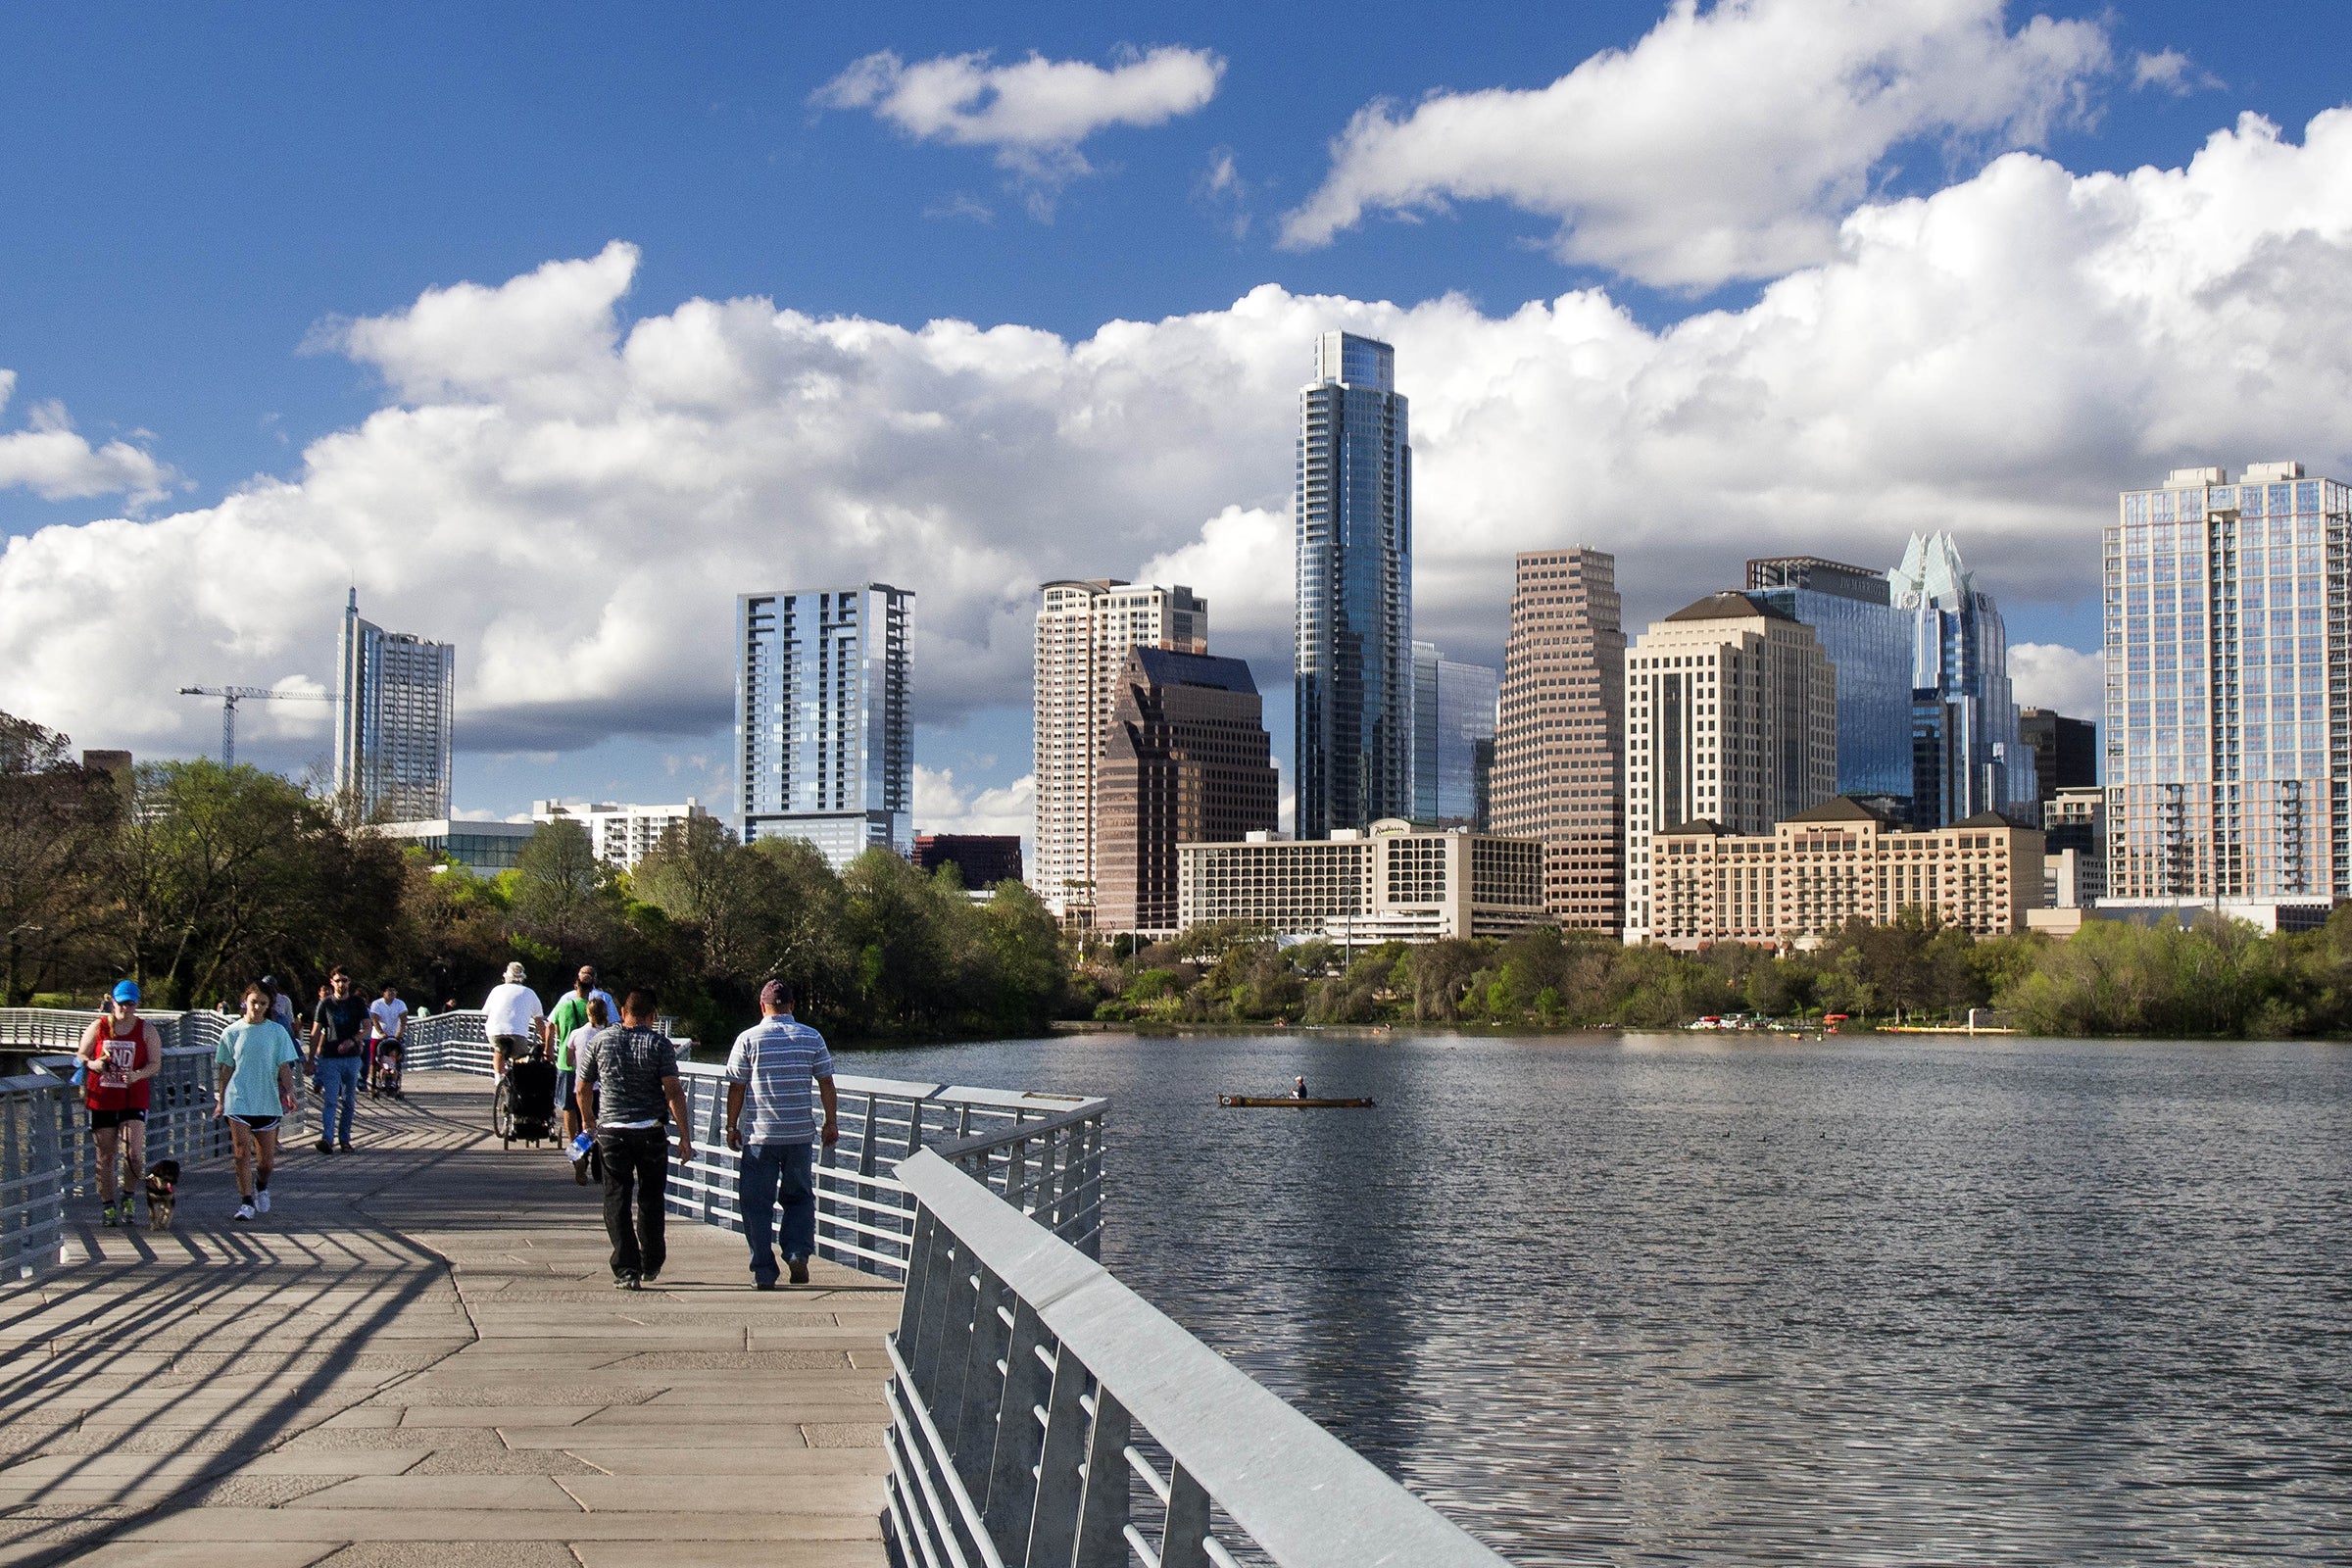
pixel 196 880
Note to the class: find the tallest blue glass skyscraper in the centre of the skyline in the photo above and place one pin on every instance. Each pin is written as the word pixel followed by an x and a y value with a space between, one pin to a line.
pixel 1356 591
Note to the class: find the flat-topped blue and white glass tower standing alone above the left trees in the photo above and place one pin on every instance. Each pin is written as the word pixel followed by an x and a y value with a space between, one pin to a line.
pixel 824 735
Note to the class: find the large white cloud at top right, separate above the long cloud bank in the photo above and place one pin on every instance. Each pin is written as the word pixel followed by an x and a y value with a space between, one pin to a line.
pixel 1728 142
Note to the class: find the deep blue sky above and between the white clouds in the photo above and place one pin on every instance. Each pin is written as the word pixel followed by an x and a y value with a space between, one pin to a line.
pixel 199 196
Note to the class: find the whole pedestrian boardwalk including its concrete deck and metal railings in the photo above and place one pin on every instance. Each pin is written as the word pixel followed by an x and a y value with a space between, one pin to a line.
pixel 420 1355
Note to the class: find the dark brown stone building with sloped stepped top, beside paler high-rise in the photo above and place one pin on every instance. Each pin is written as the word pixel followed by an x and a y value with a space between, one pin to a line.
pixel 1184 763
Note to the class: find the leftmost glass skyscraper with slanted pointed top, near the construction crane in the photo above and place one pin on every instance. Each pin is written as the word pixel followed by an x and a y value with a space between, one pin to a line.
pixel 396 697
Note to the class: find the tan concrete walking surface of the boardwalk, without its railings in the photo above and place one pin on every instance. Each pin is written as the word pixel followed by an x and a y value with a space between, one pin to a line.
pixel 420 1358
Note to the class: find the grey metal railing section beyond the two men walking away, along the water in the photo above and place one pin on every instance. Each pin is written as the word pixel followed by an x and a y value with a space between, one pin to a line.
pixel 1041 1153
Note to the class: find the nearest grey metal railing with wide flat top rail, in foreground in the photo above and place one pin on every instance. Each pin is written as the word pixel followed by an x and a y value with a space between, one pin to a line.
pixel 1031 1393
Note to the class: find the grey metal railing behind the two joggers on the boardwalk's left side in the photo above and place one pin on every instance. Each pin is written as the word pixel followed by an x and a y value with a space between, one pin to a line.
pixel 46 1151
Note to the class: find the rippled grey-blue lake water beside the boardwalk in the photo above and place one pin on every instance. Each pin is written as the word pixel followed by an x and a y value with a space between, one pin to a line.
pixel 1704 1301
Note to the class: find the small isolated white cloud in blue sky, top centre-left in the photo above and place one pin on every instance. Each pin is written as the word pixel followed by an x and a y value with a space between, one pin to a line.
pixel 1034 112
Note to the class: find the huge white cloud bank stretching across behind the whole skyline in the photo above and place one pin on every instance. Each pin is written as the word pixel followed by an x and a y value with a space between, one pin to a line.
pixel 575 497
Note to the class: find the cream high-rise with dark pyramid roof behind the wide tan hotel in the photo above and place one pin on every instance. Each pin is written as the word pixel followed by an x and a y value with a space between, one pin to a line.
pixel 1730 721
